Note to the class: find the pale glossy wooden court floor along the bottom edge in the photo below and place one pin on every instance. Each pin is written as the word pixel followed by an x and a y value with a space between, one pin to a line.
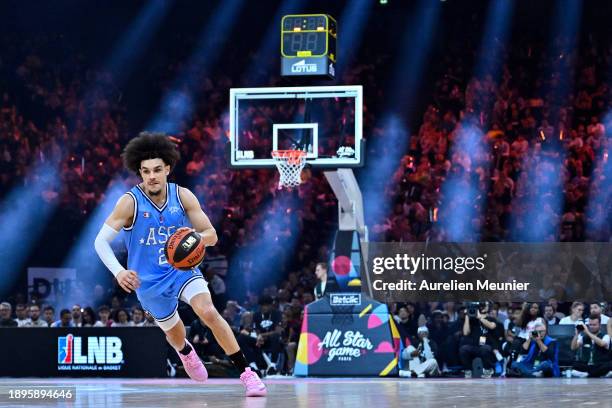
pixel 332 392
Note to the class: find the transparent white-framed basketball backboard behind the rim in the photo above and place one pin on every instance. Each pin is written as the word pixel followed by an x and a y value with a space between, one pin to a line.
pixel 324 121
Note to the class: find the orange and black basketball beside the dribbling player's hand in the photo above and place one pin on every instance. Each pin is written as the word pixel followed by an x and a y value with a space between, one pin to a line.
pixel 184 249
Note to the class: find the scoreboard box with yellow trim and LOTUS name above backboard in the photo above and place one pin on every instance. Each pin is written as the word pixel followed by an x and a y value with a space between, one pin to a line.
pixel 308 45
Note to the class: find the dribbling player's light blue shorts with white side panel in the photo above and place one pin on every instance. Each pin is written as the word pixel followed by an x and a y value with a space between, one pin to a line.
pixel 161 298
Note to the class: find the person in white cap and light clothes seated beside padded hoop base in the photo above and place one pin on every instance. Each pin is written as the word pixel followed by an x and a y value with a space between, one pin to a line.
pixel 420 357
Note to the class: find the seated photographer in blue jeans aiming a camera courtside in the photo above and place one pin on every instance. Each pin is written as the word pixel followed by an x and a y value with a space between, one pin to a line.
pixel 542 357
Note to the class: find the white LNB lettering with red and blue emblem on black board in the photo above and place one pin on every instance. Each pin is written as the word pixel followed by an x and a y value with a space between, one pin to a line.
pixel 100 351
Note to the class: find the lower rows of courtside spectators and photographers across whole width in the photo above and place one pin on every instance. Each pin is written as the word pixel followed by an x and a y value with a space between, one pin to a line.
pixel 480 339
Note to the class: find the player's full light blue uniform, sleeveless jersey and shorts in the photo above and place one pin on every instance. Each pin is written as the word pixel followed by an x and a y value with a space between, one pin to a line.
pixel 161 284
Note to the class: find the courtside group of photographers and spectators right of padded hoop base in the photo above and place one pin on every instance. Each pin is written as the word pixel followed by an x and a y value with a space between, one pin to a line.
pixel 505 339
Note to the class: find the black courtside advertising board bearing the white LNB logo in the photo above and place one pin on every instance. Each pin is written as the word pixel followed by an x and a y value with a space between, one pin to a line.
pixel 83 352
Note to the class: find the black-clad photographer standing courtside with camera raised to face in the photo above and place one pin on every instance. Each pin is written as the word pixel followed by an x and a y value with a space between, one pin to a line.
pixel 478 339
